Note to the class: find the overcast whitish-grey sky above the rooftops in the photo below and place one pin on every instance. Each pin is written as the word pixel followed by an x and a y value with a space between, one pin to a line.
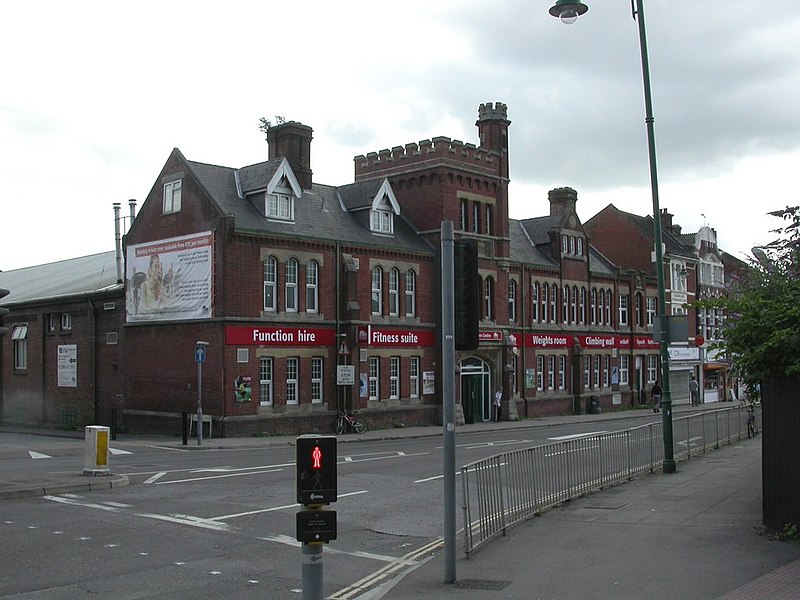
pixel 96 94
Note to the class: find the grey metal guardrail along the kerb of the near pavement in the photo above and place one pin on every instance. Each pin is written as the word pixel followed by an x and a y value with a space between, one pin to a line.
pixel 506 488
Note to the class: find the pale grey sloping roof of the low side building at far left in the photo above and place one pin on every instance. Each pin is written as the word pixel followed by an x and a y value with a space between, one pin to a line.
pixel 86 275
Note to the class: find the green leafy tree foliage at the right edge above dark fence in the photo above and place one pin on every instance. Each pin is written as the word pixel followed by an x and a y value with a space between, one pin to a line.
pixel 761 333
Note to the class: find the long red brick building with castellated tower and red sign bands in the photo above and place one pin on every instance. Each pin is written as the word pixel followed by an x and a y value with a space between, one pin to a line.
pixel 313 298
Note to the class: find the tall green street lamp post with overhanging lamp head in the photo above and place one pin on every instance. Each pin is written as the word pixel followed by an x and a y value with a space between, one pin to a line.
pixel 568 11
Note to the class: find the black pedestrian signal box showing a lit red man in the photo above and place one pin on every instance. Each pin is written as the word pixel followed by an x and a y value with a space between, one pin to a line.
pixel 316 469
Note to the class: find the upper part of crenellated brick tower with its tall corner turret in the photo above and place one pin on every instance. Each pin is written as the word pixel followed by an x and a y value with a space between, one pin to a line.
pixel 444 179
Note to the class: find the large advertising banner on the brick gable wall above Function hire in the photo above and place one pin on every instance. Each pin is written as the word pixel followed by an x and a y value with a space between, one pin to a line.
pixel 170 279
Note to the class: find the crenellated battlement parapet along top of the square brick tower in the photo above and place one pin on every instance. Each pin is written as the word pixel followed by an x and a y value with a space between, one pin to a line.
pixel 424 151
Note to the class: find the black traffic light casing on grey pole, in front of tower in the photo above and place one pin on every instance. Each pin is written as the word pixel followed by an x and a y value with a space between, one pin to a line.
pixel 467 292
